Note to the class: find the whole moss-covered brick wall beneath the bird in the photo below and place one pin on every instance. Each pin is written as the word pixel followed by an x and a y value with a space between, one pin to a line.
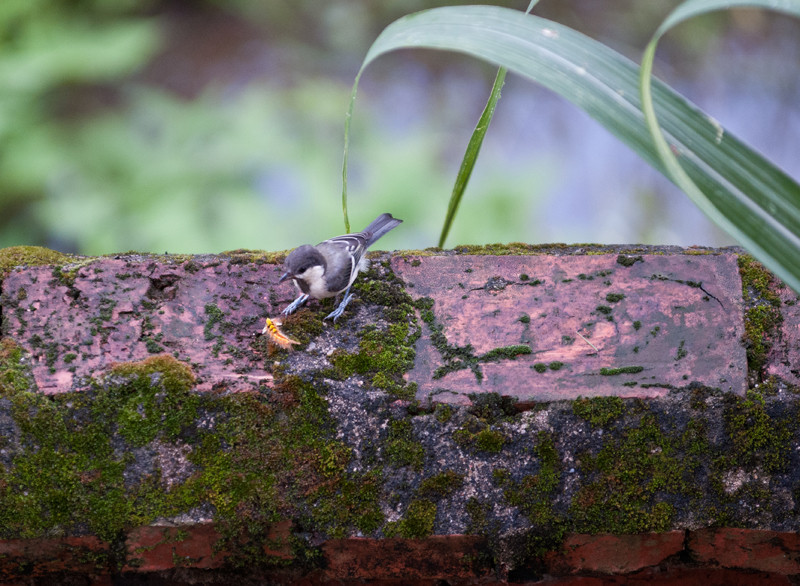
pixel 483 415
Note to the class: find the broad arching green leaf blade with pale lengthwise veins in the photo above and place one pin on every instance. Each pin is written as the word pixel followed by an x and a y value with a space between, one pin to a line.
pixel 739 189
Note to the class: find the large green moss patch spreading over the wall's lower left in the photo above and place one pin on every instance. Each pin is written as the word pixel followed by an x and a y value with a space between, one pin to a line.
pixel 75 466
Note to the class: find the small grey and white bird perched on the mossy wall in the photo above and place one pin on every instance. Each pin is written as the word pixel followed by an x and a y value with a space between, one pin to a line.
pixel 330 267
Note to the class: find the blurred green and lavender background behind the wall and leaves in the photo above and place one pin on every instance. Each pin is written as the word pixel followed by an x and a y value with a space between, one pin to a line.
pixel 208 125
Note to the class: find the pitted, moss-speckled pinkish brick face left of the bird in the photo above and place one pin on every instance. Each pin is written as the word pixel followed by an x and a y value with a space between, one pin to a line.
pixel 116 310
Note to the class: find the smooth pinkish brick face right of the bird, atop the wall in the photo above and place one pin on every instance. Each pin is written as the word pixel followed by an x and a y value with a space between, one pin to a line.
pixel 676 319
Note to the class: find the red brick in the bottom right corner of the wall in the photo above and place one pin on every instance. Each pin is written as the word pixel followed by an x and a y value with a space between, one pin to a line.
pixel 767 551
